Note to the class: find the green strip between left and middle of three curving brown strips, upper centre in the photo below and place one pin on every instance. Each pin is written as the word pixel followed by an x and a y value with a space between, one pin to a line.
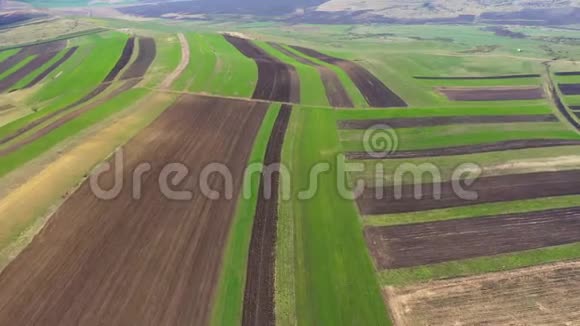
pixel 312 90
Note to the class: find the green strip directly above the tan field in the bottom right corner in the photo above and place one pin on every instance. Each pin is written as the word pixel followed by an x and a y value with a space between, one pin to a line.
pixel 476 266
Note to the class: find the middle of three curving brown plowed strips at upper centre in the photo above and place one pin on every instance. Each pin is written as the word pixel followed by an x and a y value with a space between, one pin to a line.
pixel 335 92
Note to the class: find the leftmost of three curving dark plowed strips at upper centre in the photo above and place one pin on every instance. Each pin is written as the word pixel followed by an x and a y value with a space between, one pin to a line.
pixel 277 81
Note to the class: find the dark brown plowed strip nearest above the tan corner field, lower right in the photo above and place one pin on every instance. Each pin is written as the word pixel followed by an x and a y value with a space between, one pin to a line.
pixel 437 242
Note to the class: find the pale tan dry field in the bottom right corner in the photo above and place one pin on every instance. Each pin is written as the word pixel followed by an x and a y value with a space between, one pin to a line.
pixel 545 295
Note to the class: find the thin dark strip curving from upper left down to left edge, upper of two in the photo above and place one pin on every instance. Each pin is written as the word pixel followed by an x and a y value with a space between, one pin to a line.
pixel 94 93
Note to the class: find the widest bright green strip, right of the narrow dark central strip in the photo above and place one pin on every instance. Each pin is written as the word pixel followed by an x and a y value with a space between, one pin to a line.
pixel 334 278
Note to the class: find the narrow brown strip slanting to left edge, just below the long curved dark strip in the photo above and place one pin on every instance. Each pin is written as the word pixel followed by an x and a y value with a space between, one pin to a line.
pixel 68 117
